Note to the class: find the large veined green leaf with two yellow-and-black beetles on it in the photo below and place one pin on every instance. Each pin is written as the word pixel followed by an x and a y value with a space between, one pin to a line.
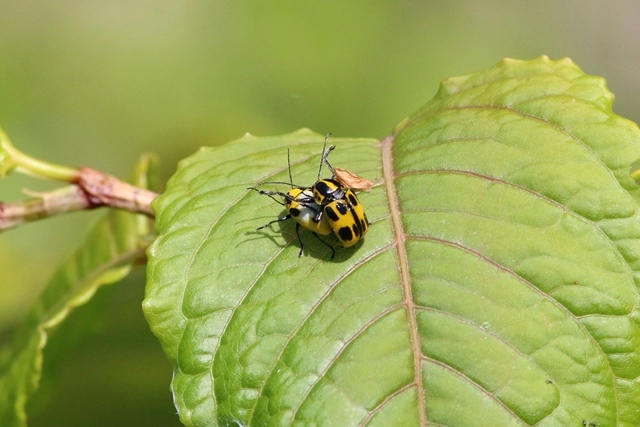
pixel 496 285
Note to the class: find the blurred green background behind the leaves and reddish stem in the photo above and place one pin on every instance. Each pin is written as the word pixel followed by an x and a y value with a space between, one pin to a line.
pixel 98 83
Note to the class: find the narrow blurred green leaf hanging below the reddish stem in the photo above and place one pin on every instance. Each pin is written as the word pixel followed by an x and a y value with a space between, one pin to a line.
pixel 110 250
